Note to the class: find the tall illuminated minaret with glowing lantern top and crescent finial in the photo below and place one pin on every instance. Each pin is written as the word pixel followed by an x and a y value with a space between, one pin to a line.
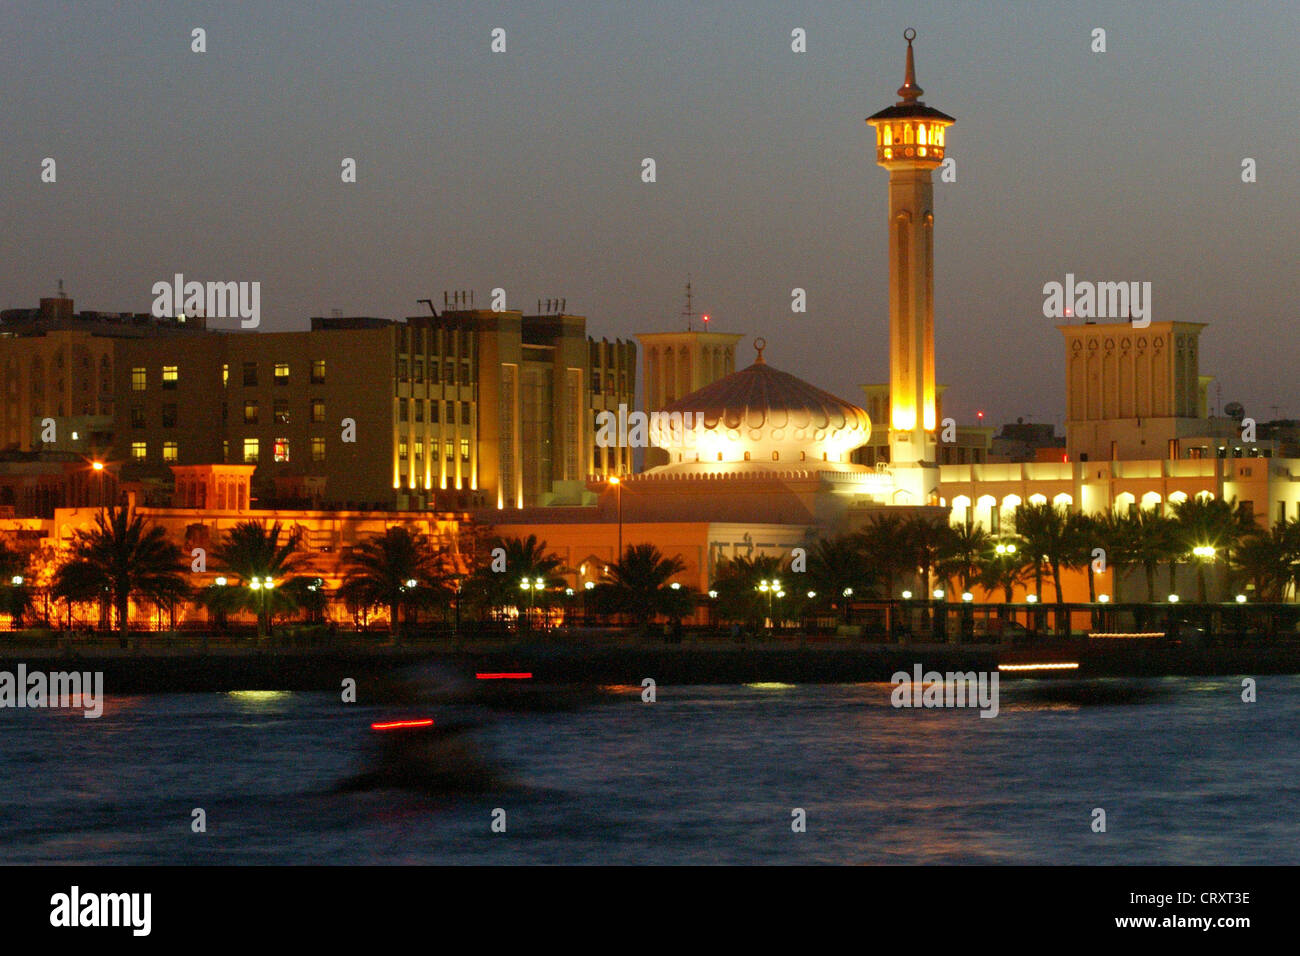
pixel 911 144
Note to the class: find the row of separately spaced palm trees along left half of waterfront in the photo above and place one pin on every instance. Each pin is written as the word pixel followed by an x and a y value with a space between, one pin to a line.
pixel 265 572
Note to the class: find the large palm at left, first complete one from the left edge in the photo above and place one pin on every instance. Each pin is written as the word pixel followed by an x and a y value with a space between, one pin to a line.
pixel 119 559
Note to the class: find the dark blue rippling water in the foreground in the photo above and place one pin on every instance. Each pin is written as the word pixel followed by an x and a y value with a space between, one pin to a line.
pixel 1186 772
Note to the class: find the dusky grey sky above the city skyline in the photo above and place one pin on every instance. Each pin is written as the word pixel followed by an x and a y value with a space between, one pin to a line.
pixel 522 170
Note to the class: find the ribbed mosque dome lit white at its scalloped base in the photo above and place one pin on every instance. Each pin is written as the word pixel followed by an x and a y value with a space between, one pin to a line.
pixel 761 414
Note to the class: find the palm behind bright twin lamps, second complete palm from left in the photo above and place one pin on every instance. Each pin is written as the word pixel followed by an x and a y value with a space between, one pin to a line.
pixel 266 564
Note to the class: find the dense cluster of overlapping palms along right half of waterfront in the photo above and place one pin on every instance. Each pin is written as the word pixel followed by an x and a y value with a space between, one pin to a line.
pixel 895 556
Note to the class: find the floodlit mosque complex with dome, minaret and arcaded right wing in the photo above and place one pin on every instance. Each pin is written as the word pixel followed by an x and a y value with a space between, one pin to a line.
pixel 768 462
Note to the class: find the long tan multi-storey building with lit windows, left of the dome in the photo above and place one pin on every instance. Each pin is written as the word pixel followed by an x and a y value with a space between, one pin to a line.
pixel 465 409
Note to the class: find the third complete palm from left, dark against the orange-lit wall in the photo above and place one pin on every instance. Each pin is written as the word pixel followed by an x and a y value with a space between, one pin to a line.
pixel 397 569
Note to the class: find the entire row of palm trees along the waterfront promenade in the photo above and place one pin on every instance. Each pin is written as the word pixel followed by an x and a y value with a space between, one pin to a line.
pixel 266 572
